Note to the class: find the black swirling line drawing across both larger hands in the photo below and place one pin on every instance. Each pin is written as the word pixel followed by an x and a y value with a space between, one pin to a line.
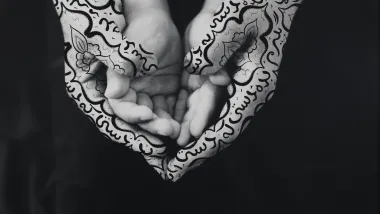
pixel 245 97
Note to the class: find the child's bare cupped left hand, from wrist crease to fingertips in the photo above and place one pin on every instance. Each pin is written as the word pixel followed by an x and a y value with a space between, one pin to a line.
pixel 150 98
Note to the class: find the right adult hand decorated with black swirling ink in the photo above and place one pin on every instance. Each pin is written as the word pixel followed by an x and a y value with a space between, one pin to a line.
pixel 247 96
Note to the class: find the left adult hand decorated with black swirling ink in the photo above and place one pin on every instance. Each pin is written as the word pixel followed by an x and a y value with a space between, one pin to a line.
pixel 81 46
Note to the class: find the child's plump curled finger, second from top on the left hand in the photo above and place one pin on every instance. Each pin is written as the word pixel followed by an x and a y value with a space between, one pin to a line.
pixel 127 109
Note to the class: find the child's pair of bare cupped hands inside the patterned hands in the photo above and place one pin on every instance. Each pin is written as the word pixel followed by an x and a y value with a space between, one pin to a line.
pixel 170 102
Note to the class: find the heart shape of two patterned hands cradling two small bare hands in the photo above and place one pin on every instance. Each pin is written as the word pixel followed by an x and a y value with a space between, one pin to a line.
pixel 123 68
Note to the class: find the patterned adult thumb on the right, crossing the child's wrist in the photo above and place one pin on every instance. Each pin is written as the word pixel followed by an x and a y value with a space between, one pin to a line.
pixel 220 41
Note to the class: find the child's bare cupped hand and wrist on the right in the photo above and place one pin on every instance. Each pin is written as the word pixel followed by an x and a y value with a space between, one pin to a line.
pixel 200 93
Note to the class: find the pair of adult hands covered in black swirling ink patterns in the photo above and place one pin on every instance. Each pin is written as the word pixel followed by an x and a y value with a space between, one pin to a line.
pixel 92 39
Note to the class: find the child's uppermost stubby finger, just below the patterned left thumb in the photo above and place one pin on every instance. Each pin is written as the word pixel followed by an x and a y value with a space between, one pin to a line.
pixel 117 85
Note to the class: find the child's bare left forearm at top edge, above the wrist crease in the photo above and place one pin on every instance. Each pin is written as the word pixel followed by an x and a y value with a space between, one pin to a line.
pixel 136 8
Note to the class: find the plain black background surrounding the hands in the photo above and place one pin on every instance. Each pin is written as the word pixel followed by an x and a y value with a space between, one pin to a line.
pixel 312 149
